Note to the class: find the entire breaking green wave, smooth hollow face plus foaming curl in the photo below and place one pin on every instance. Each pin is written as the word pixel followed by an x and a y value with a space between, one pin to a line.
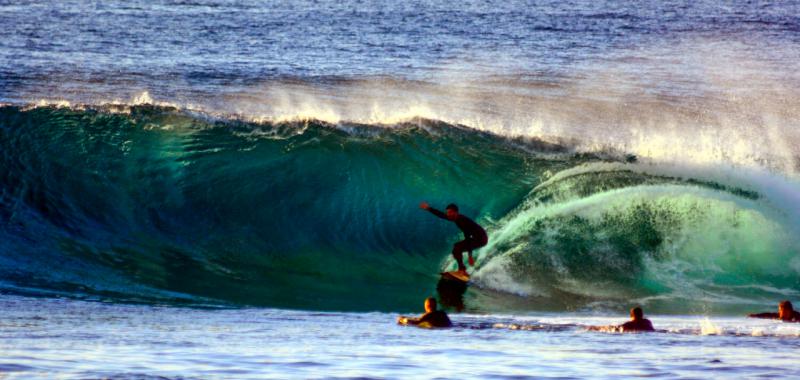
pixel 157 204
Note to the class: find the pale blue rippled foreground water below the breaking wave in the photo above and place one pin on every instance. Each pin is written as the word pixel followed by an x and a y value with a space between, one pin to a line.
pixel 75 339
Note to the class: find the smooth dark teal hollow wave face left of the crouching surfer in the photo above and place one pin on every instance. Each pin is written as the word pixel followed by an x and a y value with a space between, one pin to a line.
pixel 157 203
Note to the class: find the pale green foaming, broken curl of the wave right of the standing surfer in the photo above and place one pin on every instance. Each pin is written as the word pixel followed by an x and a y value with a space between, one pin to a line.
pixel 609 235
